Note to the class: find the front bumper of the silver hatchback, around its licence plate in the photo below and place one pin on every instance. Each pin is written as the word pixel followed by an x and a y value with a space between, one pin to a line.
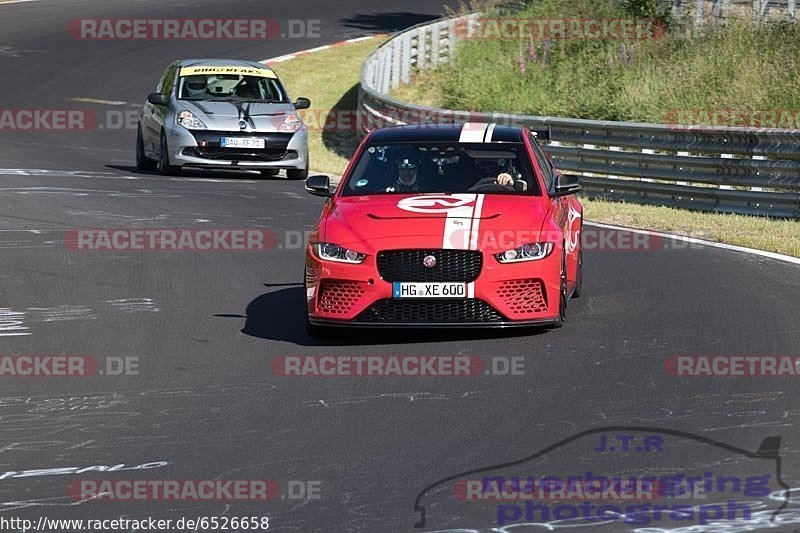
pixel 201 149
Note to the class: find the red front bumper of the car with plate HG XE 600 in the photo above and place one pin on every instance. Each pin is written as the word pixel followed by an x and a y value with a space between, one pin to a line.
pixel 502 295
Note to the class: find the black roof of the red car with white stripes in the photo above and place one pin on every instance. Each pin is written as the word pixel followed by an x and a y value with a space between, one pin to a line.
pixel 477 132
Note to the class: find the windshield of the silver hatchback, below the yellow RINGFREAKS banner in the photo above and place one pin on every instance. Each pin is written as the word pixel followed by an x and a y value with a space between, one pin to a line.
pixel 232 87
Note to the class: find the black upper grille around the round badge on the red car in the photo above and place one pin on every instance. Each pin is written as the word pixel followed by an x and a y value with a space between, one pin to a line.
pixel 451 265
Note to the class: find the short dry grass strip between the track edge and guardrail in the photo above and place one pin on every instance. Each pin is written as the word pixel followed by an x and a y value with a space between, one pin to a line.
pixel 330 79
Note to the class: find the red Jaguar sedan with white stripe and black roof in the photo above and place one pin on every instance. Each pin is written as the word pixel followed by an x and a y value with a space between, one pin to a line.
pixel 466 225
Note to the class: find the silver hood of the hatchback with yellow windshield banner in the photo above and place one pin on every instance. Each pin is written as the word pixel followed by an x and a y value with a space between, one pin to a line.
pixel 225 115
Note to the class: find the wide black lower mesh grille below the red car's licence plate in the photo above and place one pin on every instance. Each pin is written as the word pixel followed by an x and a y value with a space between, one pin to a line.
pixel 428 311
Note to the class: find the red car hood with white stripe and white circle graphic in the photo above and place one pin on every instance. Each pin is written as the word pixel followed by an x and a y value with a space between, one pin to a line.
pixel 491 222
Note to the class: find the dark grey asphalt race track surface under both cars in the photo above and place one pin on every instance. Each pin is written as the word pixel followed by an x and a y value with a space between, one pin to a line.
pixel 206 327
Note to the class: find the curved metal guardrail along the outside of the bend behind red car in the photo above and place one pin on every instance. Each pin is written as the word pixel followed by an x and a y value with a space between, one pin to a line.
pixel 732 170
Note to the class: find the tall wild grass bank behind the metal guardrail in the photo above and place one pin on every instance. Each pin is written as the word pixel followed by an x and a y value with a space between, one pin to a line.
pixel 672 78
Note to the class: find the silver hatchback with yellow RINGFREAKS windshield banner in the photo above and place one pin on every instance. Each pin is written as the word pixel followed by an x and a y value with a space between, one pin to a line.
pixel 222 114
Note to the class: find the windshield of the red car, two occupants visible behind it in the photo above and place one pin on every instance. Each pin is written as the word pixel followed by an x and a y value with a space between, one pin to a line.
pixel 402 168
